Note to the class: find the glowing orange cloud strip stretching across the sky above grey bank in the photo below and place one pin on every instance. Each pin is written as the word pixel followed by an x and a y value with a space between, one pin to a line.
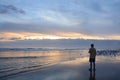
pixel 11 36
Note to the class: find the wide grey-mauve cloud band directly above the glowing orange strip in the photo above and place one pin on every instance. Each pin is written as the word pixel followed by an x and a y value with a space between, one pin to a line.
pixel 94 27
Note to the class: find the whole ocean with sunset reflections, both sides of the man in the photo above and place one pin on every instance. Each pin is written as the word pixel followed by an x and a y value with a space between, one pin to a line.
pixel 15 60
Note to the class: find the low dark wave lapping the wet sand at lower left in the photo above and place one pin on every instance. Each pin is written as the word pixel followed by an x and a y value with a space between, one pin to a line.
pixel 15 71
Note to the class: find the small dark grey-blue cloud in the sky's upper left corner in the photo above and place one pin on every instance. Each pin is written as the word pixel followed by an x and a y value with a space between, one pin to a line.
pixel 7 9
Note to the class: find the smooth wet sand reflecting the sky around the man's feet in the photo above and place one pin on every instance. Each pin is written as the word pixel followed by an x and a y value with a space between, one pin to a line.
pixel 77 69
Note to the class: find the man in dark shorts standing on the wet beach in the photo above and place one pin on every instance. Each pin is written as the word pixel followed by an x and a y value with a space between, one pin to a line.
pixel 92 52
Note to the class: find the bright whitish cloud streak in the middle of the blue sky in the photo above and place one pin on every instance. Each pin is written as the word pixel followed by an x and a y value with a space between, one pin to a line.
pixel 57 17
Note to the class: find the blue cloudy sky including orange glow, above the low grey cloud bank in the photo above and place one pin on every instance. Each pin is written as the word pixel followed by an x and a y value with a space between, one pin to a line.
pixel 59 19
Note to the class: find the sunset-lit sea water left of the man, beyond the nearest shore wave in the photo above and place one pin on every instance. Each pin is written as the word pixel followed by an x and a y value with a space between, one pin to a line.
pixel 17 59
